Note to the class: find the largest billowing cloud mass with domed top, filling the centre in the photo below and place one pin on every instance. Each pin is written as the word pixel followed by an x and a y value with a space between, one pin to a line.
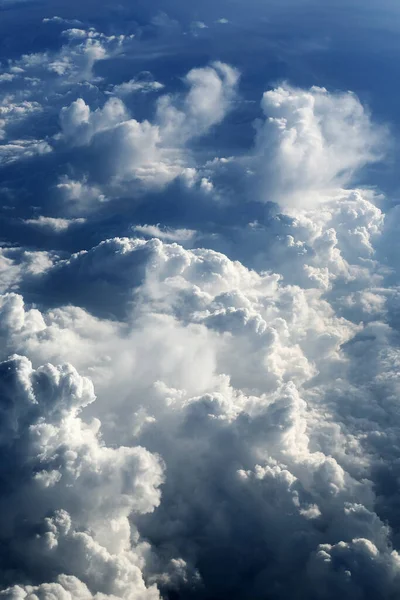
pixel 289 484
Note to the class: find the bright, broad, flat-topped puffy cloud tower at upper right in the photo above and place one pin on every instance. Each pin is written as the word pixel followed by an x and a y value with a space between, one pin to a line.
pixel 312 142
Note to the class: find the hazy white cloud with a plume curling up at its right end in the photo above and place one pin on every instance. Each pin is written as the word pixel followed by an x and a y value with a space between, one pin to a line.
pixel 151 154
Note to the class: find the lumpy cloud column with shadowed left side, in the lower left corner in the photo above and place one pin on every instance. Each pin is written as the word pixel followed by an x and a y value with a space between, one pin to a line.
pixel 61 472
